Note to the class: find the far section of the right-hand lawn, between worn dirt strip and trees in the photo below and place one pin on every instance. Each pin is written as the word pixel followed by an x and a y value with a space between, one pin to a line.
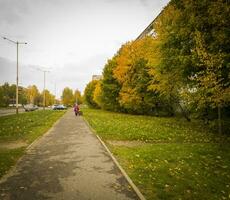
pixel 115 126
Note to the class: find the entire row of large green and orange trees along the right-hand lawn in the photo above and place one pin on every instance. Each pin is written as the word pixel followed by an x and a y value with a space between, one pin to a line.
pixel 184 68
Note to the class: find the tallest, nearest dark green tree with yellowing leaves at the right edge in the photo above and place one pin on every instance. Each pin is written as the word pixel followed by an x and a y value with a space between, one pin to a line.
pixel 194 40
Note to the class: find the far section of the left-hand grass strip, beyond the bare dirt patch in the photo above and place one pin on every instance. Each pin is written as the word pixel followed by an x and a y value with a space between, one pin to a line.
pixel 27 126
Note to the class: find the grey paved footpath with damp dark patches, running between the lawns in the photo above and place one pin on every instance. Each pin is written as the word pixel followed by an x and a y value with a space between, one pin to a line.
pixel 67 163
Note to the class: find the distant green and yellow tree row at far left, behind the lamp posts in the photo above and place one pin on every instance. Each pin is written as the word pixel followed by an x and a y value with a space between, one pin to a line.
pixel 30 94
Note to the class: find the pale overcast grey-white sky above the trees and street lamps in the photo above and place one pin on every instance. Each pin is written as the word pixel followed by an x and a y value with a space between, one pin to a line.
pixel 71 38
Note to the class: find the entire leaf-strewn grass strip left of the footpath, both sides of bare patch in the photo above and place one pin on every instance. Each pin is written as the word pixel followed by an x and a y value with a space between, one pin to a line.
pixel 25 127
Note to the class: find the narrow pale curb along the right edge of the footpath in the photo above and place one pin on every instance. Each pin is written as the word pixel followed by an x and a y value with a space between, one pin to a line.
pixel 134 187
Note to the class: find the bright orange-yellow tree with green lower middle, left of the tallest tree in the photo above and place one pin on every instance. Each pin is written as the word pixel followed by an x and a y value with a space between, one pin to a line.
pixel 135 72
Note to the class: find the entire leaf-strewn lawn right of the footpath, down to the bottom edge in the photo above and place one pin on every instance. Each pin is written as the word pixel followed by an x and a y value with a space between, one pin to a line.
pixel 180 160
